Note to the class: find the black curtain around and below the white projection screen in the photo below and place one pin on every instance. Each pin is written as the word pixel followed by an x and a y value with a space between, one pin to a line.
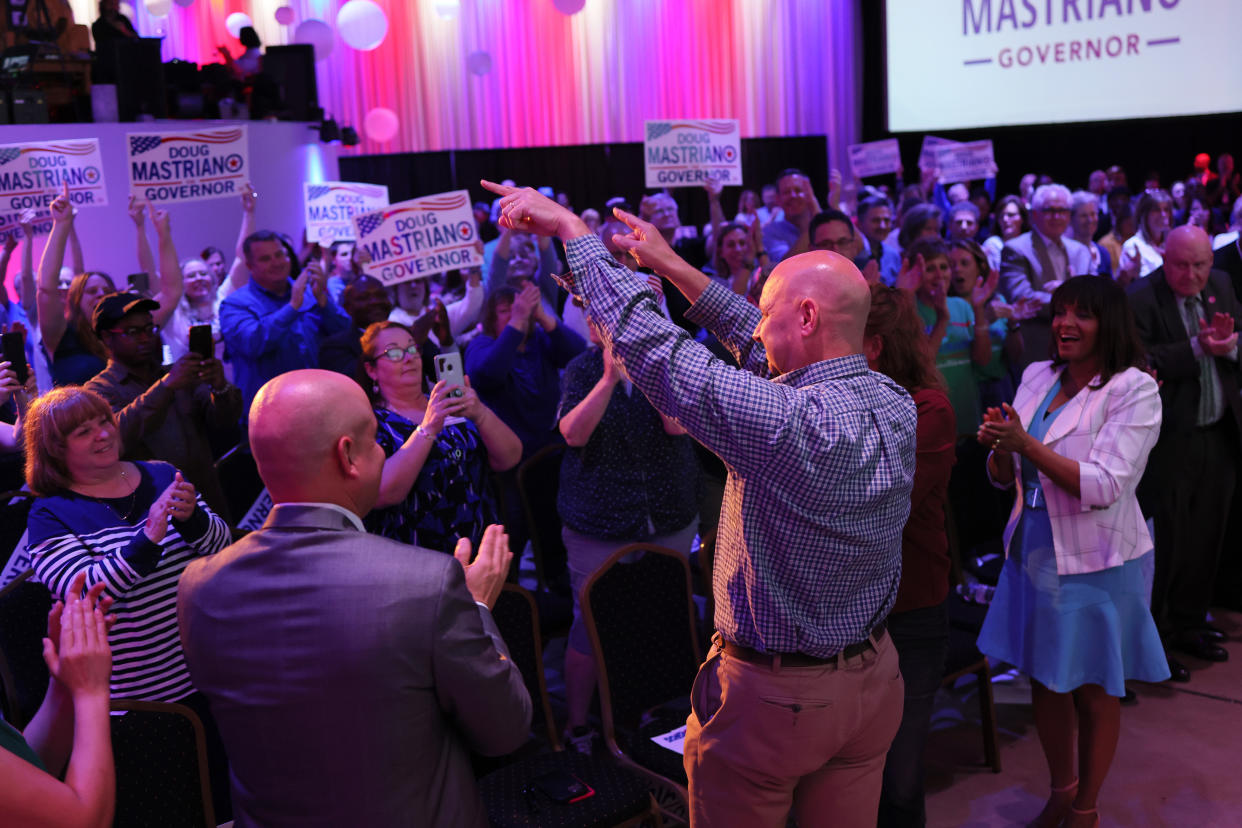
pixel 1066 152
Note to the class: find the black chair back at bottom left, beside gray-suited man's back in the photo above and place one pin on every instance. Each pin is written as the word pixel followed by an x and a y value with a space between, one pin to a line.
pixel 161 752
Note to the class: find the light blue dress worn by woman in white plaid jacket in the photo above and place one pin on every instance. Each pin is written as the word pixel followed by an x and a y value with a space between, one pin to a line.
pixel 1066 631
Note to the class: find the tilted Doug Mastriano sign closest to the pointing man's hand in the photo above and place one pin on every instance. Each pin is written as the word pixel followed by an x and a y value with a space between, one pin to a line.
pixel 420 238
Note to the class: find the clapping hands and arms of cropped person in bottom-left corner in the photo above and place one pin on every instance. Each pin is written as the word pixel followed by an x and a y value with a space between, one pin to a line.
pixel 69 738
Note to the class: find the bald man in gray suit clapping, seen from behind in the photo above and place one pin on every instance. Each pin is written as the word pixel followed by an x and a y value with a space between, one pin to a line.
pixel 350 675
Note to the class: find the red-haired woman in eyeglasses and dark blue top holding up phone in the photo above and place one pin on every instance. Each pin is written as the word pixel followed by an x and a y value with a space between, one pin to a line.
pixel 440 448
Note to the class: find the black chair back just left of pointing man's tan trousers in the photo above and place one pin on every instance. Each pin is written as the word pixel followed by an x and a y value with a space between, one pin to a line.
pixel 640 616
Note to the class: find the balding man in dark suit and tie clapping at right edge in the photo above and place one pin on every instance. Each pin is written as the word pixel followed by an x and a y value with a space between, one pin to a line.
pixel 1188 317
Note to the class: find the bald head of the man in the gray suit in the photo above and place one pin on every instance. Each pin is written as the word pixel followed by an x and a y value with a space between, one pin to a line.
pixel 314 438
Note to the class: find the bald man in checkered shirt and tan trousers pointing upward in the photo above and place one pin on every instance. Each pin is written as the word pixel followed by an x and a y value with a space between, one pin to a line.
pixel 800 696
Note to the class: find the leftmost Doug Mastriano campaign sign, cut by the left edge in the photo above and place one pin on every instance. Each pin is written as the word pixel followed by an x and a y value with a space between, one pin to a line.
pixel 32 176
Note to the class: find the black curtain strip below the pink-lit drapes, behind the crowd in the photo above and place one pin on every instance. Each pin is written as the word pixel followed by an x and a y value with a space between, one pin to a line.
pixel 591 174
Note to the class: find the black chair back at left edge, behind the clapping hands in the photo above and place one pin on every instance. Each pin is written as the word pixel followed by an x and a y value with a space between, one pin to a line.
pixel 24 606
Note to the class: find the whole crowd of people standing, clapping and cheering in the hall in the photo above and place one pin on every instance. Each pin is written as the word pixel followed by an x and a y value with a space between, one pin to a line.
pixel 812 383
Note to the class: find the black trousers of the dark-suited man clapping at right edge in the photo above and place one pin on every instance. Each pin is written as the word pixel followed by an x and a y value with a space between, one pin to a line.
pixel 1192 516
